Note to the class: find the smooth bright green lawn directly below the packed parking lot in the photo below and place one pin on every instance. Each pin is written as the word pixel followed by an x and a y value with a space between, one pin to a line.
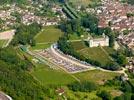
pixel 48 76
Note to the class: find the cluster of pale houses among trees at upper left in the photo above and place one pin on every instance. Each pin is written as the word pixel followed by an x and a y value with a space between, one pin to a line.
pixel 28 16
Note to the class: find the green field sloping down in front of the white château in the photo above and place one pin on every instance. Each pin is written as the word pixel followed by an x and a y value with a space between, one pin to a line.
pixel 95 53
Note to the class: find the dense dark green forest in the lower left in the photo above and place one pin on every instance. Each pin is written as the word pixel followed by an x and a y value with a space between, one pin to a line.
pixel 15 79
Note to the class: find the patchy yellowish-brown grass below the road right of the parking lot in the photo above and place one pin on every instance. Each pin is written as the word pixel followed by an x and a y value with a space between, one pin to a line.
pixel 96 76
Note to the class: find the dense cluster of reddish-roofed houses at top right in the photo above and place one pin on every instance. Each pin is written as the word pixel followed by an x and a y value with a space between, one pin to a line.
pixel 115 14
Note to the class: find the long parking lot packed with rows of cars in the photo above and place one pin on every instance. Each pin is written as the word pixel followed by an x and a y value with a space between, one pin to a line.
pixel 64 64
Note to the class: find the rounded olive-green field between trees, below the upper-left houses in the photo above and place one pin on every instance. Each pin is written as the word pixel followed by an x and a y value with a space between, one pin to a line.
pixel 49 34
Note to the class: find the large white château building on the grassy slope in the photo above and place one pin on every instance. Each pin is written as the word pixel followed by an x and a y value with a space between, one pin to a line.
pixel 104 41
